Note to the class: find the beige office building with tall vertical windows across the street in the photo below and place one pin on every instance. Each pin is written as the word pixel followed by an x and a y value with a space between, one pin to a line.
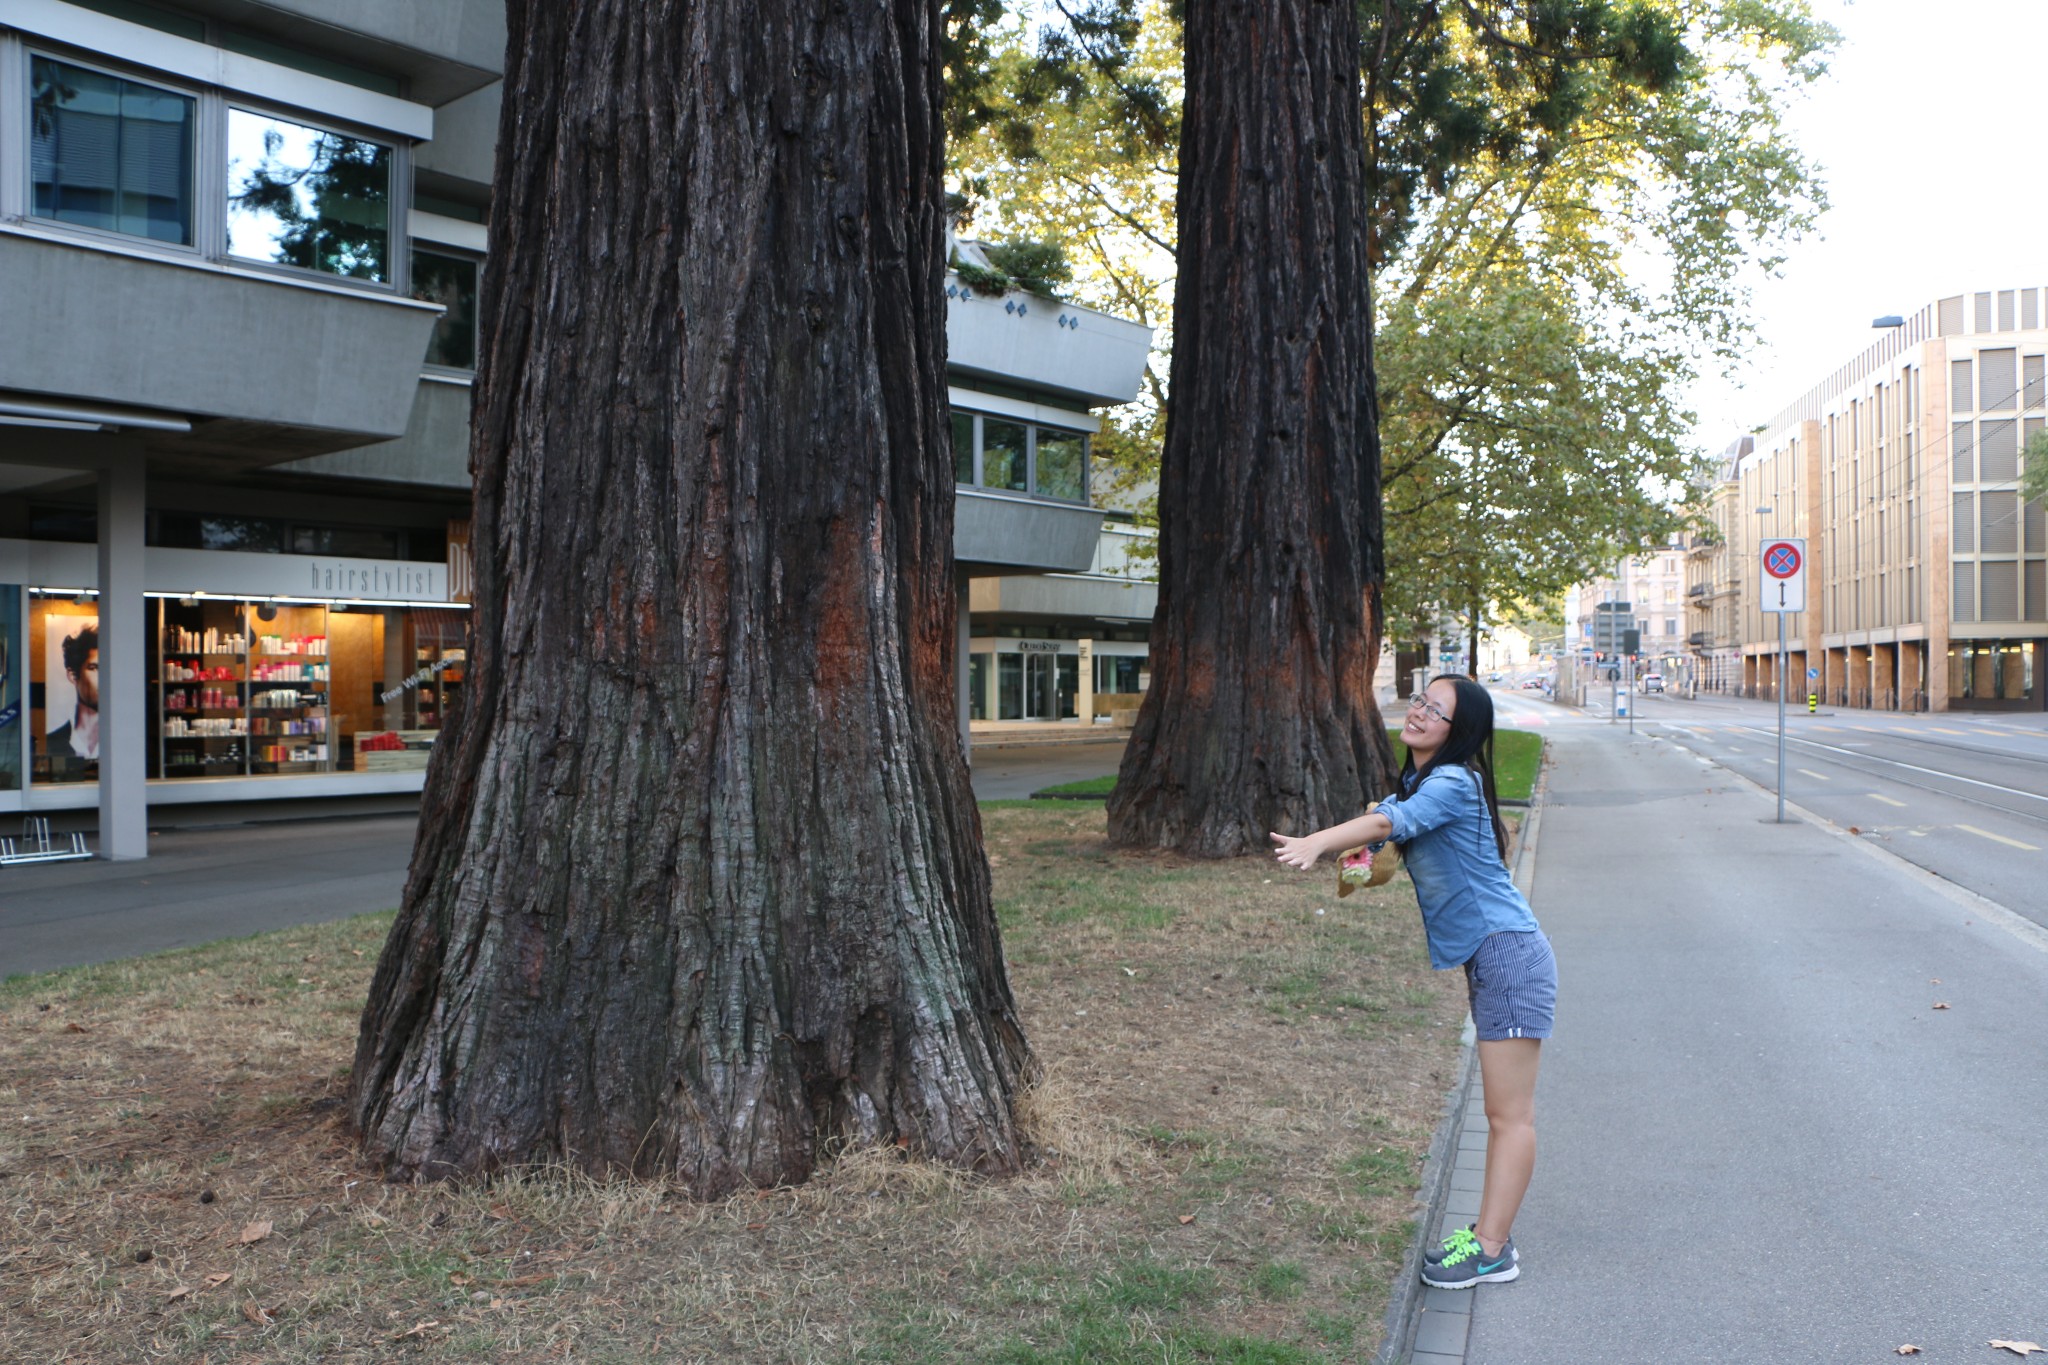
pixel 1926 576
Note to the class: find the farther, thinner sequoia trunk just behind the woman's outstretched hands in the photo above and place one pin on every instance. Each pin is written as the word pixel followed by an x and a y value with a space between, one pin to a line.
pixel 1261 709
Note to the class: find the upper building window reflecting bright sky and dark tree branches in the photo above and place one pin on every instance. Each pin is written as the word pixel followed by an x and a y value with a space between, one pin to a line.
pixel 308 197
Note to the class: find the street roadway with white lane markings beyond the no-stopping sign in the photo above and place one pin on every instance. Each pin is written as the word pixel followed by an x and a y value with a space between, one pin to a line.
pixel 1961 795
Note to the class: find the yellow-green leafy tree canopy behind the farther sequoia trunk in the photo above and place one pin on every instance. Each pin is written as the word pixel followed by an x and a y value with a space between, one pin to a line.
pixel 1568 204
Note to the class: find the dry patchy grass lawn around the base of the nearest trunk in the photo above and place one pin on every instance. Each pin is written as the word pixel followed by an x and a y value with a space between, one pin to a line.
pixel 1240 1077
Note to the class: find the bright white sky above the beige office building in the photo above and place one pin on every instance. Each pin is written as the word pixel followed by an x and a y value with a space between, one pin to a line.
pixel 1932 134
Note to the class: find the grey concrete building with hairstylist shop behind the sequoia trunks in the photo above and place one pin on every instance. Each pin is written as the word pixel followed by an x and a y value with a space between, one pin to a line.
pixel 241 243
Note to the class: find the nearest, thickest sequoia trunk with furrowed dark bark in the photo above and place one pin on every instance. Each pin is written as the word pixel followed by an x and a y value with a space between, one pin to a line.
pixel 699 883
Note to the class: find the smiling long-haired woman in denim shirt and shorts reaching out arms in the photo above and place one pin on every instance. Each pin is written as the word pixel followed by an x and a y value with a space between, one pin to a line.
pixel 1449 826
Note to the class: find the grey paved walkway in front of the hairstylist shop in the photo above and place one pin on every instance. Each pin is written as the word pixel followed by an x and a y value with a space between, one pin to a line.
pixel 214 883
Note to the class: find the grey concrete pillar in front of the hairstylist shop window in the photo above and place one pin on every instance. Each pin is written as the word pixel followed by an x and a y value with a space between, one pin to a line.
pixel 124 666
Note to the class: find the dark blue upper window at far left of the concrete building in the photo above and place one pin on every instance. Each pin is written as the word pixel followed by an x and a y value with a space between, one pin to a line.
pixel 110 152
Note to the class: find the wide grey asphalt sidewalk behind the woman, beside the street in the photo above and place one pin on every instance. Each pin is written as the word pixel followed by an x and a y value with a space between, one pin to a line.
pixel 1760 1141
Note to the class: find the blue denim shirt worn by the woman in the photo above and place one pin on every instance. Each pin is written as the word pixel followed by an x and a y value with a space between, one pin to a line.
pixel 1447 842
